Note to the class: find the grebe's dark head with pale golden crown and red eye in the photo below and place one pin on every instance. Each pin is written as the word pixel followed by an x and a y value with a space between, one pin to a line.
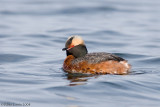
pixel 75 46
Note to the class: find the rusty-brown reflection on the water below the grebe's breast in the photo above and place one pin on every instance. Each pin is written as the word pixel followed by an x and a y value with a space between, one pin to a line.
pixel 78 78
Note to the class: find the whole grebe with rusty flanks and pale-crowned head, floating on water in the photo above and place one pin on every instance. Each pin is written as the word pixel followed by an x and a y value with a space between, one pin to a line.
pixel 80 61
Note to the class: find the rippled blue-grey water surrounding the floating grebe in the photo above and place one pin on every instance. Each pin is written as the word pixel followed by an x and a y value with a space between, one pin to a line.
pixel 33 32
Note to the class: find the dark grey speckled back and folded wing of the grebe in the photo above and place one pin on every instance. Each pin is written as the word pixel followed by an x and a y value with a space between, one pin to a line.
pixel 94 58
